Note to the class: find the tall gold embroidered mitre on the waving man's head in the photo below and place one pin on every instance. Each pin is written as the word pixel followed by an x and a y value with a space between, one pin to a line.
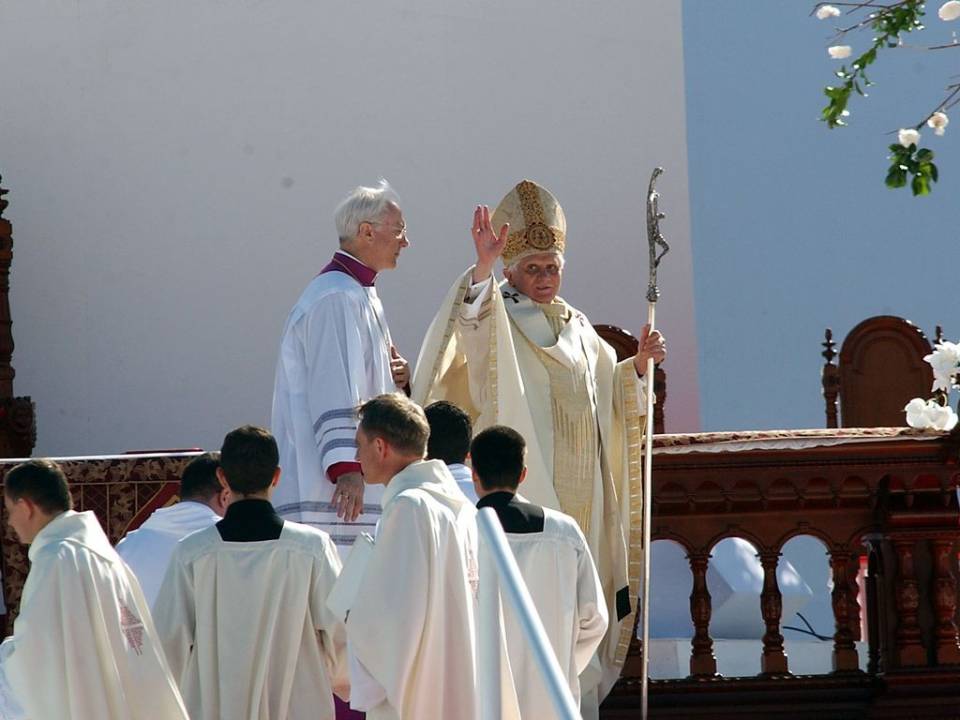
pixel 537 223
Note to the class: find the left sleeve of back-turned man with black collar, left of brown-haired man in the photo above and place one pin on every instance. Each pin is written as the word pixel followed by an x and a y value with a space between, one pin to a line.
pixel 174 615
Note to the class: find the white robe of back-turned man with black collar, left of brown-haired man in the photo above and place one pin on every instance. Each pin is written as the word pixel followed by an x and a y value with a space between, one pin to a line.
pixel 246 629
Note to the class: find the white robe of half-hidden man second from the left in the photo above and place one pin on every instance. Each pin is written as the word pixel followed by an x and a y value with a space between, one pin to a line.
pixel 147 549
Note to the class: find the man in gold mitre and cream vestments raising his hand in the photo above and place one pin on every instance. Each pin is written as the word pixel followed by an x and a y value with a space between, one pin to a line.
pixel 516 354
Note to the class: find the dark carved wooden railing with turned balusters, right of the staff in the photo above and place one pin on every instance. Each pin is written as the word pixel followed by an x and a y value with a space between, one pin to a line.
pixel 887 493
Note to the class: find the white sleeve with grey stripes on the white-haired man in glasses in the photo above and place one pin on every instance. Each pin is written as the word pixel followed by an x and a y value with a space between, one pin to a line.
pixel 336 376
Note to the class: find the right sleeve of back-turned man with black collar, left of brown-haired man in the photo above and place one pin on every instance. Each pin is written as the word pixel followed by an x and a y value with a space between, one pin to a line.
pixel 331 632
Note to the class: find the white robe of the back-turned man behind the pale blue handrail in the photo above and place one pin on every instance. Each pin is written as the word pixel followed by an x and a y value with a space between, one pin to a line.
pixel 558 570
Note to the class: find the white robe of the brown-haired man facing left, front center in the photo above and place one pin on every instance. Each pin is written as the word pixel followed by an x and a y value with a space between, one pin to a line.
pixel 412 627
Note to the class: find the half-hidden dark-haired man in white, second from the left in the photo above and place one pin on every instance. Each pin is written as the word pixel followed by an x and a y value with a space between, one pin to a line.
pixel 203 500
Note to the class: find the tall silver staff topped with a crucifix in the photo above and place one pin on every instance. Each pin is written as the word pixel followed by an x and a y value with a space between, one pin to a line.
pixel 658 248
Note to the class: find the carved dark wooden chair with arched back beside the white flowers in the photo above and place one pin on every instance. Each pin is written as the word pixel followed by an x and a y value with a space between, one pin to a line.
pixel 880 369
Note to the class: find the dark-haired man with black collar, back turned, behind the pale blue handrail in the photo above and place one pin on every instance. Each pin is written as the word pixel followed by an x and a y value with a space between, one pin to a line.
pixel 555 564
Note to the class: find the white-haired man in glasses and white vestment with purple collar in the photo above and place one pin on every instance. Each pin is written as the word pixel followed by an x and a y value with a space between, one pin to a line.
pixel 336 353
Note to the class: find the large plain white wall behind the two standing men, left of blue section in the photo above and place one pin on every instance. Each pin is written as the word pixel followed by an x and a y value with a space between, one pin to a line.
pixel 173 169
